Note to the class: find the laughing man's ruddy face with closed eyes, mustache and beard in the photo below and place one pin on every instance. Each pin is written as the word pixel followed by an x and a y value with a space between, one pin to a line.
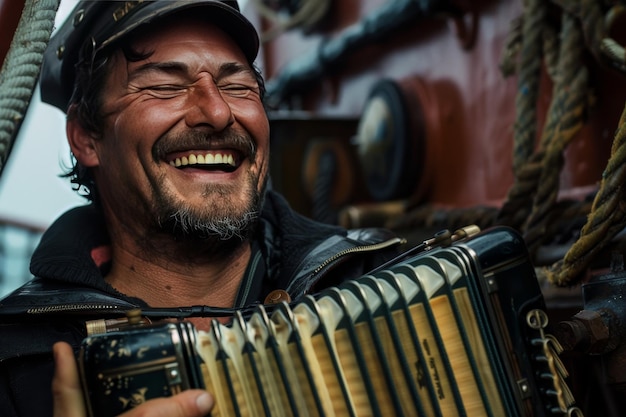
pixel 185 142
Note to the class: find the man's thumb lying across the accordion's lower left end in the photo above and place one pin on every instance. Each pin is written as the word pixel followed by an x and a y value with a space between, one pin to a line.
pixel 191 403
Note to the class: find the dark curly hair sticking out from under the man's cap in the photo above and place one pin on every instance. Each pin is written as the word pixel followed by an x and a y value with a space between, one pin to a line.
pixel 86 102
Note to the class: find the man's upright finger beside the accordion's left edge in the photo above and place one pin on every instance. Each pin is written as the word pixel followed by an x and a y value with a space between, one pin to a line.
pixel 66 391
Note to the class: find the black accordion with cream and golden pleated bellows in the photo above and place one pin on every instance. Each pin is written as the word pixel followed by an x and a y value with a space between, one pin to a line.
pixel 459 330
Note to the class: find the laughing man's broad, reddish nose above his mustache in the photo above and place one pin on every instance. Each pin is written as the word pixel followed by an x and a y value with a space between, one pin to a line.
pixel 207 107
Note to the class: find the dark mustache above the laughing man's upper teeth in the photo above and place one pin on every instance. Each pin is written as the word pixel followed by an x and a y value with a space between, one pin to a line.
pixel 194 139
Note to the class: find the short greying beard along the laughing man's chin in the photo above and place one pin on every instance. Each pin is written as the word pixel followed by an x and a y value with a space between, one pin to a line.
pixel 185 223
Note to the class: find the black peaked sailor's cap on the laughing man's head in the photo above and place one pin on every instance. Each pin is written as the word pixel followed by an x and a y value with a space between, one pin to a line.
pixel 104 23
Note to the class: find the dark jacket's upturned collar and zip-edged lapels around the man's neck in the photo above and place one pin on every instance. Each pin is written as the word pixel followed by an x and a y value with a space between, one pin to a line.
pixel 70 261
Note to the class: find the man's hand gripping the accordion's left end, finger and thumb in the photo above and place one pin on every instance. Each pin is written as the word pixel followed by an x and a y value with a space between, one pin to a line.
pixel 68 397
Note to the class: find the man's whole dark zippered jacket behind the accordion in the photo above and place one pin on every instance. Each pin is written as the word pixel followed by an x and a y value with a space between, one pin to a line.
pixel 300 256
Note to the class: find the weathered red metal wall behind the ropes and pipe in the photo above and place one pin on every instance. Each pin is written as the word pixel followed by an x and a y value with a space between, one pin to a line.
pixel 473 104
